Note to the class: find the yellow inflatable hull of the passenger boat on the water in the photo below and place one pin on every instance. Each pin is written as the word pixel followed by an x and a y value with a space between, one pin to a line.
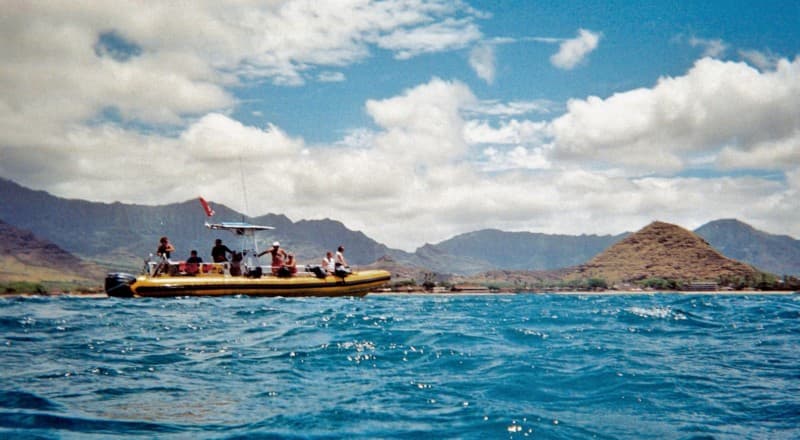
pixel 354 284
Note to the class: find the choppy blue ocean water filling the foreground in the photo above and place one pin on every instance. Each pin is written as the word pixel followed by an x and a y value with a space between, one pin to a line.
pixel 488 366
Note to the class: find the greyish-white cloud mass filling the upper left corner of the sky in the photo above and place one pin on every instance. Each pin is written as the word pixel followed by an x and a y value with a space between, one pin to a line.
pixel 57 71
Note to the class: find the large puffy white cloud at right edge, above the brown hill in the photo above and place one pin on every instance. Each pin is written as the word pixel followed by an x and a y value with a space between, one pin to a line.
pixel 717 105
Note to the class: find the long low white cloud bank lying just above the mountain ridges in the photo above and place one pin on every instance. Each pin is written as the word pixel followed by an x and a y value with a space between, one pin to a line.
pixel 410 181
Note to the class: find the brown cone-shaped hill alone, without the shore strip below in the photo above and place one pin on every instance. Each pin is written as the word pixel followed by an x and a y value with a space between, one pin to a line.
pixel 662 250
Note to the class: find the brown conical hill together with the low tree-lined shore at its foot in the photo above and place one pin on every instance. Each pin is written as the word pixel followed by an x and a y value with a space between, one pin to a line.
pixel 661 256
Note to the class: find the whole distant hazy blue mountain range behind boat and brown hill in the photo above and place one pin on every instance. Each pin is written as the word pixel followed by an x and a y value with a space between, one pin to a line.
pixel 120 235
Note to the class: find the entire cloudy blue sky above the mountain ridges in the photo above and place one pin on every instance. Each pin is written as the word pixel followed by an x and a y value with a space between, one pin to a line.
pixel 412 120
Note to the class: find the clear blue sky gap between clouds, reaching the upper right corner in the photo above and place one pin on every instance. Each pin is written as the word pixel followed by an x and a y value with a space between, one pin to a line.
pixel 639 44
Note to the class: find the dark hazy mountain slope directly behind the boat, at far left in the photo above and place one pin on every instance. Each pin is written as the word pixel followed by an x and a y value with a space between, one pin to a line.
pixel 122 235
